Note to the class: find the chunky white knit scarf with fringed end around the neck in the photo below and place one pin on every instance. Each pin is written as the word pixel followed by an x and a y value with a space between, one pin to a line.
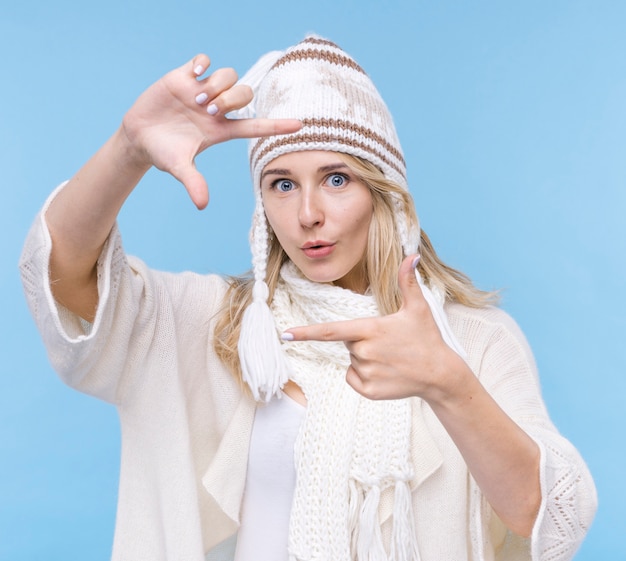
pixel 349 448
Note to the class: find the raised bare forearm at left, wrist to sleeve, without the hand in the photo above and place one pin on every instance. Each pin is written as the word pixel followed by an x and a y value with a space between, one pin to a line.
pixel 80 218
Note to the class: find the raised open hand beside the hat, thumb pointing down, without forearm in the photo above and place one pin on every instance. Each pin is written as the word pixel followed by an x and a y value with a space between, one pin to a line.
pixel 167 127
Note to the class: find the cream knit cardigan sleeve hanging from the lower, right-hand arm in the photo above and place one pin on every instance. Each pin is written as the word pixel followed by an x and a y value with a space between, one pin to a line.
pixel 569 500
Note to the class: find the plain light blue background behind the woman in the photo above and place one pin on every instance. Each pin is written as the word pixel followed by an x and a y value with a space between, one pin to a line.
pixel 512 116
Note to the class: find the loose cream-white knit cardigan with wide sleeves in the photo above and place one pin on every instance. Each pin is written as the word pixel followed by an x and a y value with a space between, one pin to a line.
pixel 186 425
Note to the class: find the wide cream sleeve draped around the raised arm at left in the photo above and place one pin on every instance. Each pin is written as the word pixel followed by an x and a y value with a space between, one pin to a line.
pixel 83 354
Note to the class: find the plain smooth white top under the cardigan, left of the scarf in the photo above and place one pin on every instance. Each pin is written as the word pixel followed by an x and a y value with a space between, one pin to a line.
pixel 270 482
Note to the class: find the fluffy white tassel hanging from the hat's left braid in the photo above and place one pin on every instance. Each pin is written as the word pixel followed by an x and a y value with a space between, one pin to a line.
pixel 263 364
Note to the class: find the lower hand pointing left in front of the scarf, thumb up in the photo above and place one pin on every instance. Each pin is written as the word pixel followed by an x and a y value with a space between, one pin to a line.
pixel 395 356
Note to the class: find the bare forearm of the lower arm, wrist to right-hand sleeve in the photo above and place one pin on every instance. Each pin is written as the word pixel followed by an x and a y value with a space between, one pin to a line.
pixel 502 458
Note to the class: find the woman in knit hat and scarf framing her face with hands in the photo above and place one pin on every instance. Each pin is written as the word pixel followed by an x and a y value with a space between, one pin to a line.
pixel 412 427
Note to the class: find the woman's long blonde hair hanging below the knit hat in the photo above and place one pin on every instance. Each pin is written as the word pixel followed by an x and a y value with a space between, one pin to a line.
pixel 382 261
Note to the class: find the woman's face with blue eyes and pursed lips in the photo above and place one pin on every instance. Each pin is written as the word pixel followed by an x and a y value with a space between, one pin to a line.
pixel 320 213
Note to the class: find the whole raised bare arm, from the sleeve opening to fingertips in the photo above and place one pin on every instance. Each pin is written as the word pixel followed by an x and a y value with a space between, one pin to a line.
pixel 167 127
